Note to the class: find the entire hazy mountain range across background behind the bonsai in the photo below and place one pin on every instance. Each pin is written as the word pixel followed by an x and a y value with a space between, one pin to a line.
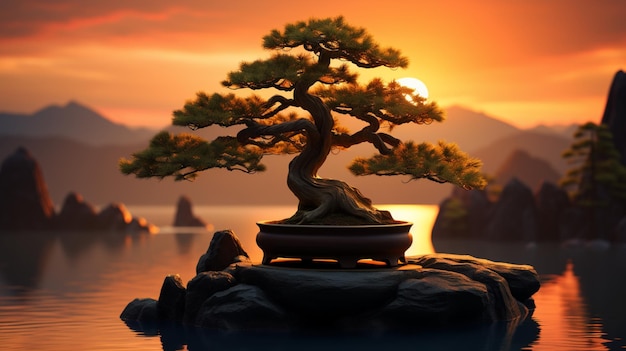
pixel 78 150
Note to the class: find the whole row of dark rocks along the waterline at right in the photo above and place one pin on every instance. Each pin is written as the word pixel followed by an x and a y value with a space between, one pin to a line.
pixel 519 215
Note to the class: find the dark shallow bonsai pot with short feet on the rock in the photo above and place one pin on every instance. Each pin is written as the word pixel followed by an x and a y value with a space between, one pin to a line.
pixel 345 243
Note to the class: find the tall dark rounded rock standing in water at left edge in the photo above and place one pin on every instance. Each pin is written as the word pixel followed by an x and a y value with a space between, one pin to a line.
pixel 24 200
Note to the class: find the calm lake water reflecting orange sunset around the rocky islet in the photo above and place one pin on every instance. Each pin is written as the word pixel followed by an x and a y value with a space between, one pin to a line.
pixel 66 292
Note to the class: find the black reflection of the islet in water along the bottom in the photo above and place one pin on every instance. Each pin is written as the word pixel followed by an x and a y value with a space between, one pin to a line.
pixel 490 337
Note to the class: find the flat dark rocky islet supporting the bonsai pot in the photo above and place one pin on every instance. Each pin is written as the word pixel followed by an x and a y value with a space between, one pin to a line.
pixel 430 290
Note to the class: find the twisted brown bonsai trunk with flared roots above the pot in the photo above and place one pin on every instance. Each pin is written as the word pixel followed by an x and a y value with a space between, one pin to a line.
pixel 321 199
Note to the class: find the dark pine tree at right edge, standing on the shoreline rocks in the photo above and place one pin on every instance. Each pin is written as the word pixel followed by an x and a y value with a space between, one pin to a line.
pixel 597 175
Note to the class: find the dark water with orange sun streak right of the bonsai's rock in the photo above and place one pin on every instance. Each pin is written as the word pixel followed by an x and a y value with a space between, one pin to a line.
pixel 580 305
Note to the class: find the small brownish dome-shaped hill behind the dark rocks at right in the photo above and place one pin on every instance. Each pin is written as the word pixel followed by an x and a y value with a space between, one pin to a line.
pixel 530 170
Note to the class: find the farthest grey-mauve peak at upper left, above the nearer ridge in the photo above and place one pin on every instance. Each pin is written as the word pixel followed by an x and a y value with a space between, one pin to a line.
pixel 73 121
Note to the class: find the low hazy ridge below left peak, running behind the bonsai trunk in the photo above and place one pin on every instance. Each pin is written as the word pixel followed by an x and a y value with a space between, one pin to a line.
pixel 92 171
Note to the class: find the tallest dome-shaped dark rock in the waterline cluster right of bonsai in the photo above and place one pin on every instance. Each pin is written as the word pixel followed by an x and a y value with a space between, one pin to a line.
pixel 514 216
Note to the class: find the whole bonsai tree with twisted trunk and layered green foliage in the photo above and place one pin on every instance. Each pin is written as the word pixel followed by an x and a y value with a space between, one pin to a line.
pixel 313 61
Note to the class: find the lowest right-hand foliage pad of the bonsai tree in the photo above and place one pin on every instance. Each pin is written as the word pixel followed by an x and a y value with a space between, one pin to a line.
pixel 442 163
